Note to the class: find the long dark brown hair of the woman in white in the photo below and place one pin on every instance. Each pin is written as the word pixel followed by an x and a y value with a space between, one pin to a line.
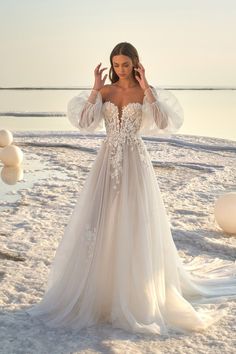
pixel 123 48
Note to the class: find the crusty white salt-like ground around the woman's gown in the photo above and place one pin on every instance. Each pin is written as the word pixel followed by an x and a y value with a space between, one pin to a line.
pixel 192 172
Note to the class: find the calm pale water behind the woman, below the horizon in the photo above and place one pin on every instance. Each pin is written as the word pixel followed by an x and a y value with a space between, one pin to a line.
pixel 208 112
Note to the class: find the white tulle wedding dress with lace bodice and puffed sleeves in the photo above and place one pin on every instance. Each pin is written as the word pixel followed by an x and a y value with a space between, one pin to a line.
pixel 117 262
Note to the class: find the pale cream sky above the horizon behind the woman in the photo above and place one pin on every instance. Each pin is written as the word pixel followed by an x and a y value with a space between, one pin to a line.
pixel 59 42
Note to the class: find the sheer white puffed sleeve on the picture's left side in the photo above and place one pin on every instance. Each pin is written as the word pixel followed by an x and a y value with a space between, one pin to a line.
pixel 84 115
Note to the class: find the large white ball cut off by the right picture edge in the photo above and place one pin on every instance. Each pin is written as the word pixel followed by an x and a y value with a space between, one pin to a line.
pixel 225 212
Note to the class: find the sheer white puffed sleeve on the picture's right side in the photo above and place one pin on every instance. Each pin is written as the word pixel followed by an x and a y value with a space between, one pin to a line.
pixel 163 116
